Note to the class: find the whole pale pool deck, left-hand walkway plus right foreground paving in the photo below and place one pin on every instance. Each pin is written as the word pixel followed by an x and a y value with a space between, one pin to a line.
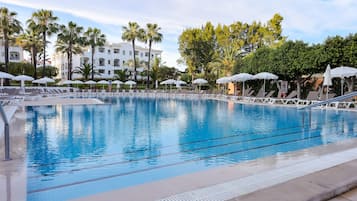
pixel 318 173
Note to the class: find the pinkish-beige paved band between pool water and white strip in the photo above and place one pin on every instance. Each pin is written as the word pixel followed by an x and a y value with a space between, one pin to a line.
pixel 185 183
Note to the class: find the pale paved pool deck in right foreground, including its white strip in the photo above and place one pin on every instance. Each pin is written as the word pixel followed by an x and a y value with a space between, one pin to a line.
pixel 252 180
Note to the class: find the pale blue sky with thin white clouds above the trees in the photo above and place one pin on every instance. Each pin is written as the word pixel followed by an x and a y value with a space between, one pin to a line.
pixel 309 20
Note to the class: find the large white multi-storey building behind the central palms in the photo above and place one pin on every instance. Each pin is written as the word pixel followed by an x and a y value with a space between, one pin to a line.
pixel 107 59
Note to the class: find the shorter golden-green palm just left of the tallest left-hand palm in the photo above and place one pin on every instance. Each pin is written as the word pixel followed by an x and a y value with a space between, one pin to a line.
pixel 31 42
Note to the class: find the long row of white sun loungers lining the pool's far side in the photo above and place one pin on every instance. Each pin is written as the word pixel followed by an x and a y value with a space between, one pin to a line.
pixel 67 91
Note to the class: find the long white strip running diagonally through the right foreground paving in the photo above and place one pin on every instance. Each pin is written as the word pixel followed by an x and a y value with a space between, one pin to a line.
pixel 236 188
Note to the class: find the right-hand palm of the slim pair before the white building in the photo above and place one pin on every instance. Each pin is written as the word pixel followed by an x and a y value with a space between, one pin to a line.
pixel 152 35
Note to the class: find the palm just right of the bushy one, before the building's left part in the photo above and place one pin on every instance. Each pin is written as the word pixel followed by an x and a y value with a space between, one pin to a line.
pixel 94 38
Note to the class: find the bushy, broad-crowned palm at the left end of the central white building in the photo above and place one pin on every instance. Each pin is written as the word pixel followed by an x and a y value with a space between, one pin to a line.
pixel 69 41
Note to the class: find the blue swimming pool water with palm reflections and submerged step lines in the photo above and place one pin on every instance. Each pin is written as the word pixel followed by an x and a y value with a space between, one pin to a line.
pixel 76 151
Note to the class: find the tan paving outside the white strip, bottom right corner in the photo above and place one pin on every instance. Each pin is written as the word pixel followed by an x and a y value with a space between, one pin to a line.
pixel 312 187
